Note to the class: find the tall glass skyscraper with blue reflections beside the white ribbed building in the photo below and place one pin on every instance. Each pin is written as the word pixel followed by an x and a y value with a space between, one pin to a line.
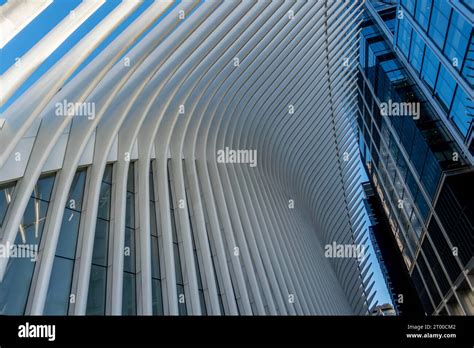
pixel 416 139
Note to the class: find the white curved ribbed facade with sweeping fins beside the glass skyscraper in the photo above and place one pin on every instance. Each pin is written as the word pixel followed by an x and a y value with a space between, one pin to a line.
pixel 277 77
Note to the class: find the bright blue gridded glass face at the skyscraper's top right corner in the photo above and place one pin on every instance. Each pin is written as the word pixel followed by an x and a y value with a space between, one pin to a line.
pixel 437 40
